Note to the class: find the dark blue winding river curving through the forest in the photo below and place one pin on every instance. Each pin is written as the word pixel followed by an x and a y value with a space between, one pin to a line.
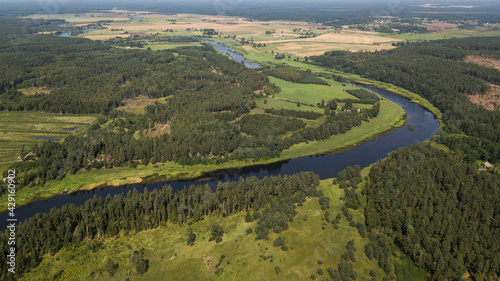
pixel 424 125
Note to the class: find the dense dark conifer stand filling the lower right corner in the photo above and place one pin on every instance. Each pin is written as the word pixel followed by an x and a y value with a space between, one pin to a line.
pixel 441 212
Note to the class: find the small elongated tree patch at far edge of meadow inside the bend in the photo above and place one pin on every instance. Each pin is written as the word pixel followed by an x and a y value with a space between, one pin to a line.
pixel 293 74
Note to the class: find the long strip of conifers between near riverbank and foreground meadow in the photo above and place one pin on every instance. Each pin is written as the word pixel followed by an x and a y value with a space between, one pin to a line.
pixel 72 226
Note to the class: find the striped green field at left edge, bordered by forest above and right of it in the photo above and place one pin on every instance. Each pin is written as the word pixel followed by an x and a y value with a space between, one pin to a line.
pixel 18 128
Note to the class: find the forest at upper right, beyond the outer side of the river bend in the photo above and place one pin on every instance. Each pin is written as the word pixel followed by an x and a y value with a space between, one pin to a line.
pixel 435 71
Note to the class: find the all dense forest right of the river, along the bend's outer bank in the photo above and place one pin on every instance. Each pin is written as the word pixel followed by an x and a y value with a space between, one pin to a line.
pixel 435 205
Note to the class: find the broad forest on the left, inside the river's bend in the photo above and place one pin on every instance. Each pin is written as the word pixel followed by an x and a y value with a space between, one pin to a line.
pixel 202 93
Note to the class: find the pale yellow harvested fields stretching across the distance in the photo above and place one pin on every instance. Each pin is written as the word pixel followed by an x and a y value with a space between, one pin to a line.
pixel 284 37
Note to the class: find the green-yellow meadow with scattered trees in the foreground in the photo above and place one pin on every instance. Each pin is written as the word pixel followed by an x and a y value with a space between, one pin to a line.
pixel 171 259
